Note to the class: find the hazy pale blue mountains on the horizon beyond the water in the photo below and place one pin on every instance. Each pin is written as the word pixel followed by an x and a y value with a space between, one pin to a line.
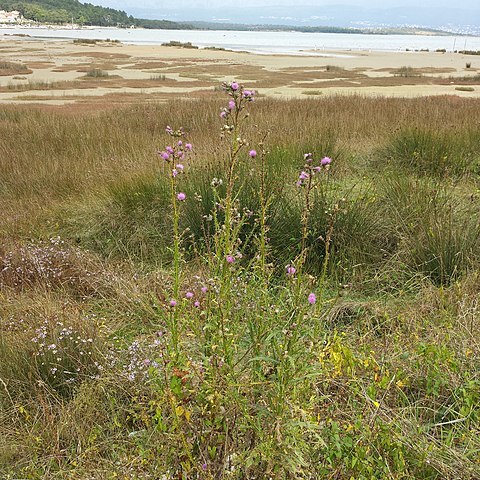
pixel 456 17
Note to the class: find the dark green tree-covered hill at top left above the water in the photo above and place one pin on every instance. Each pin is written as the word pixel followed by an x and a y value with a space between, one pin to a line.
pixel 66 11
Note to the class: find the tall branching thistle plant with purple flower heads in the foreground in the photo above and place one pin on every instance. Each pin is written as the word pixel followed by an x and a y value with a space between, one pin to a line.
pixel 246 337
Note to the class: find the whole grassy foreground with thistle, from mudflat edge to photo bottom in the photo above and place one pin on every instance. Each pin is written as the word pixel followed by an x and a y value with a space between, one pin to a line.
pixel 146 334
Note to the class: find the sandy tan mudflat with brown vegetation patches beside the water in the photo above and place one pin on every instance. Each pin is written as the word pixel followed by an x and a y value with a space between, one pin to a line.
pixel 63 72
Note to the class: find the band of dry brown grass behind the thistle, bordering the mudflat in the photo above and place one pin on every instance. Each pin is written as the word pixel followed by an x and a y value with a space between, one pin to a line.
pixel 71 150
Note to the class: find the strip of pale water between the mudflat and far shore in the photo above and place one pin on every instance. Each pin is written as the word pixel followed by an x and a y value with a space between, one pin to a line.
pixel 263 43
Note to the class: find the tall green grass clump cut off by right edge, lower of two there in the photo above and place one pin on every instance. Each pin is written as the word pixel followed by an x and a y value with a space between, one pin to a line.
pixel 435 231
